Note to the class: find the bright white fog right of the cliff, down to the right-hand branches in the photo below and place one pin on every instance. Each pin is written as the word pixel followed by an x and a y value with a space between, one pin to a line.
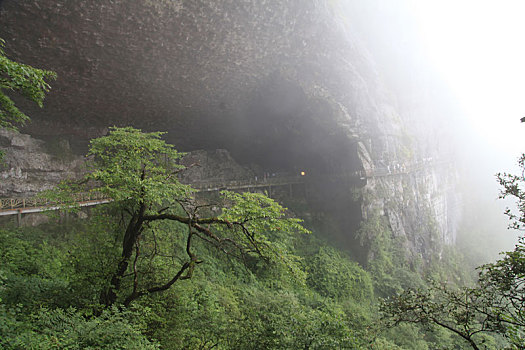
pixel 469 54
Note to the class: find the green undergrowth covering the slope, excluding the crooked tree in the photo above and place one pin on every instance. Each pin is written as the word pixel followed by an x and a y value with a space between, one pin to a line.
pixel 52 276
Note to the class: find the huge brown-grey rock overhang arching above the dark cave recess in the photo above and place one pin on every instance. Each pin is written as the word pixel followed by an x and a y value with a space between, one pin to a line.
pixel 179 67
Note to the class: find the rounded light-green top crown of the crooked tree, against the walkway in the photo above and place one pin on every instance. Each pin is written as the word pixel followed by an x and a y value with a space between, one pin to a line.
pixel 136 167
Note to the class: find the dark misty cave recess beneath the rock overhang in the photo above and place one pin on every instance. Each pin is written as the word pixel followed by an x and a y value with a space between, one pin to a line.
pixel 283 131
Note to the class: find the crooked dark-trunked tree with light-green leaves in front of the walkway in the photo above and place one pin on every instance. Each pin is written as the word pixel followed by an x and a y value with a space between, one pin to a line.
pixel 163 220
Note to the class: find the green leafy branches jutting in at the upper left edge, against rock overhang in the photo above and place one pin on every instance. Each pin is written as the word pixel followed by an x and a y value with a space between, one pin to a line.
pixel 28 81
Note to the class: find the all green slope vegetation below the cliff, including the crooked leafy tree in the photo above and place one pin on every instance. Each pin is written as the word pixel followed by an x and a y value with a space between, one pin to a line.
pixel 161 268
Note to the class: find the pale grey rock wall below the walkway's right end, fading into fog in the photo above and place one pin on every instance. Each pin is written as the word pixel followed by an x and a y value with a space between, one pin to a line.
pixel 422 207
